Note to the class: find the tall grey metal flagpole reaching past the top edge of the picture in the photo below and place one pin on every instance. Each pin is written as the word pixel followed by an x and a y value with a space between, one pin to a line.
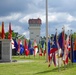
pixel 46 30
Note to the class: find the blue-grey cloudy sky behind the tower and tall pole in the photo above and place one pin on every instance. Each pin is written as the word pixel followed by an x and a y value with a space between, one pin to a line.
pixel 18 12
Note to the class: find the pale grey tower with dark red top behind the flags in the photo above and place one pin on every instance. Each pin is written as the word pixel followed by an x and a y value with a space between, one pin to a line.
pixel 34 28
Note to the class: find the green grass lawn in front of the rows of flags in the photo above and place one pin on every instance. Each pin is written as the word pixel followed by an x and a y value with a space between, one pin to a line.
pixel 34 66
